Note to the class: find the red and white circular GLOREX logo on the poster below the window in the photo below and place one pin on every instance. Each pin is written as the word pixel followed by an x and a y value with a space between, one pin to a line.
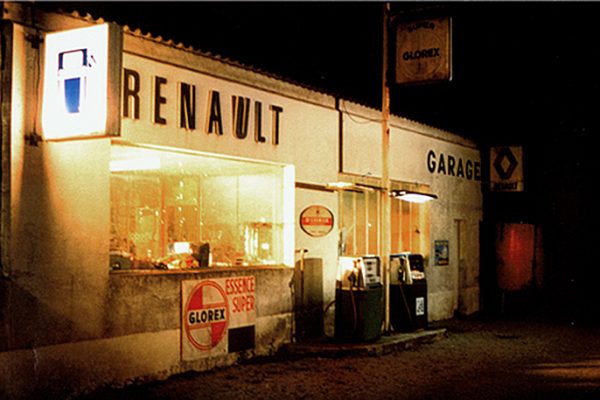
pixel 206 315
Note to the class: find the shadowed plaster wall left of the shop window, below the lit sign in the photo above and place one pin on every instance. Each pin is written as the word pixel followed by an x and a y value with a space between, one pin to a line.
pixel 60 213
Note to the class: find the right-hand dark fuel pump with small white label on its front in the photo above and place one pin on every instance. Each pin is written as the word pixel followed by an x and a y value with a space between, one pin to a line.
pixel 408 292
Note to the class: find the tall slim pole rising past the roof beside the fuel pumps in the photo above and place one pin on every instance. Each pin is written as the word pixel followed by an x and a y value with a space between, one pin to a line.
pixel 385 178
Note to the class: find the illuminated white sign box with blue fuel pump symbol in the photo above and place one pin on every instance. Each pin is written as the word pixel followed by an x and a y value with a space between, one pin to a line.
pixel 82 71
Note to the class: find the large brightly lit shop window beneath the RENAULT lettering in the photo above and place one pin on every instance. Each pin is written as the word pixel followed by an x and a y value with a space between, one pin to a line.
pixel 176 210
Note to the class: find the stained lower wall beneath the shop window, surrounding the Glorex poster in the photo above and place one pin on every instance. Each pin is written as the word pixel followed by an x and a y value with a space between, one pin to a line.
pixel 141 336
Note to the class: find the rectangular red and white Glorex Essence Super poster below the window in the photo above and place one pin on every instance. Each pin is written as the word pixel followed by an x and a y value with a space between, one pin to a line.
pixel 218 316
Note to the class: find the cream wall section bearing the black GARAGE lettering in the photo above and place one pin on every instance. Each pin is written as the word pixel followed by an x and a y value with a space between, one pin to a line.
pixel 454 286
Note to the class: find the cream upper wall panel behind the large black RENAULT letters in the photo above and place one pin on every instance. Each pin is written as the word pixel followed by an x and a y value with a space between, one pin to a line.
pixel 308 135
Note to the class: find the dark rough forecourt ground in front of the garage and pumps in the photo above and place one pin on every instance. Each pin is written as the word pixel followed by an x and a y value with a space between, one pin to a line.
pixel 478 359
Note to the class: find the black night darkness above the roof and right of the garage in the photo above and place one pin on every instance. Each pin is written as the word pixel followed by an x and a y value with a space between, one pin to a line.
pixel 523 74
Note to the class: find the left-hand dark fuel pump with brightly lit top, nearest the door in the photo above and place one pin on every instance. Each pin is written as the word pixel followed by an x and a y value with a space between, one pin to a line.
pixel 358 299
